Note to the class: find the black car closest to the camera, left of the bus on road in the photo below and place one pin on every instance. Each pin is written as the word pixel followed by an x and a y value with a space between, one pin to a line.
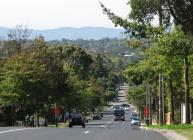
pixel 77 120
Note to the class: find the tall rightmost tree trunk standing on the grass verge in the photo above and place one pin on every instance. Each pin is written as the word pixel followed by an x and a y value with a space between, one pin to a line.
pixel 186 88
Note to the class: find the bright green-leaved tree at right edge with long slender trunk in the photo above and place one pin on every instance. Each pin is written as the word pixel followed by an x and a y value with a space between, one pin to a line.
pixel 180 45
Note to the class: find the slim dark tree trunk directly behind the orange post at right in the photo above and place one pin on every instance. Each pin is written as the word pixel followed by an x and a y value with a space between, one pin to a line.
pixel 172 99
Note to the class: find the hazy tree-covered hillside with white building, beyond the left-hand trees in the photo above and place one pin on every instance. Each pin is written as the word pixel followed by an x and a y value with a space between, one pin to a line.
pixel 111 47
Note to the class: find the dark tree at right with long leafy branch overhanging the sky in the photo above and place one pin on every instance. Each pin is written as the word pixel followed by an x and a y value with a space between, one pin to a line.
pixel 139 25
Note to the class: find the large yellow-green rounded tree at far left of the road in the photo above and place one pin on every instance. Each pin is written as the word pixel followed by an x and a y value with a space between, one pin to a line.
pixel 31 78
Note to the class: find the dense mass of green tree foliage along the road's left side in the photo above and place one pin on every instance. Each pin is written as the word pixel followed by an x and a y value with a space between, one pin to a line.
pixel 41 75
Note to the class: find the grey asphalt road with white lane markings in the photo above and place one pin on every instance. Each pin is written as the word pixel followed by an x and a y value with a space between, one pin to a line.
pixel 104 129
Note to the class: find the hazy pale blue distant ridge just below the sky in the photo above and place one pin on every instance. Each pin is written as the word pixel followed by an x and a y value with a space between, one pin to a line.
pixel 85 33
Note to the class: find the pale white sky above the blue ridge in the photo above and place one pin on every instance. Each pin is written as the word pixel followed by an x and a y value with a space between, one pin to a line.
pixel 50 14
